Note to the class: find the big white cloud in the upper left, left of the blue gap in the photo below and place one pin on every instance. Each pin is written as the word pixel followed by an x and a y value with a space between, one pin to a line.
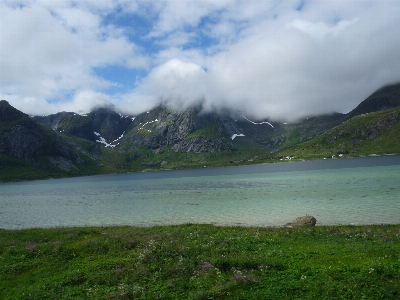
pixel 48 51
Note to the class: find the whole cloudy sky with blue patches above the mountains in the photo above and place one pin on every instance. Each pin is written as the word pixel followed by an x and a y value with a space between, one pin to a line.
pixel 266 59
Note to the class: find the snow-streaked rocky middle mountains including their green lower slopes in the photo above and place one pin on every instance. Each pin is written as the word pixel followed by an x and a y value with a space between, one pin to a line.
pixel 160 138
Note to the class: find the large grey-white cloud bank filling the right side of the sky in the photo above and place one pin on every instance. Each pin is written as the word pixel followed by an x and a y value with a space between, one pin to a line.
pixel 296 63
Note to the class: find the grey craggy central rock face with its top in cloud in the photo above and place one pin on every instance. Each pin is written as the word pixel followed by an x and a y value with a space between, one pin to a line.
pixel 187 131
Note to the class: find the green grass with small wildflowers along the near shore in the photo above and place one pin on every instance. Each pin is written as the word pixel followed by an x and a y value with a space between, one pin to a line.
pixel 201 262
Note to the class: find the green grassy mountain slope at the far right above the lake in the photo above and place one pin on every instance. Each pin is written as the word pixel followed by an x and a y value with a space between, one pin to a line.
pixel 372 127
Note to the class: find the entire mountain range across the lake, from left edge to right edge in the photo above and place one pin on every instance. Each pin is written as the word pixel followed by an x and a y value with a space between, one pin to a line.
pixel 105 141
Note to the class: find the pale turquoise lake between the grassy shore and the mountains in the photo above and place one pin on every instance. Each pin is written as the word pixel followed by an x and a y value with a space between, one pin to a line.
pixel 336 191
